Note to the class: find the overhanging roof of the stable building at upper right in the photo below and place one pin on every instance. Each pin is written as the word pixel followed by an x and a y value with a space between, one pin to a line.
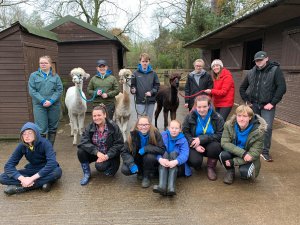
pixel 269 14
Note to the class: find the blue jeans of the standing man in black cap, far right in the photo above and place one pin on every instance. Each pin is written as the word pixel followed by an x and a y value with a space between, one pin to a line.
pixel 268 116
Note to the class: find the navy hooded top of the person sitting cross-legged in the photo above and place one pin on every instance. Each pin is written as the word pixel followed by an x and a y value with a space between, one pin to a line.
pixel 42 157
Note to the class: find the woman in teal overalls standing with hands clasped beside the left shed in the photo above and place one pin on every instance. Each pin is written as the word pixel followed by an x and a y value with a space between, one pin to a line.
pixel 45 88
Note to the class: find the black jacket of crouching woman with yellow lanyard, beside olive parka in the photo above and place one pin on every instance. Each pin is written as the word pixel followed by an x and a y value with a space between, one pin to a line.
pixel 190 124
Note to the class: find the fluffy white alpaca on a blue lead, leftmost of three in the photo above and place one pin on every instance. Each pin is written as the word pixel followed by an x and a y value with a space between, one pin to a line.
pixel 75 103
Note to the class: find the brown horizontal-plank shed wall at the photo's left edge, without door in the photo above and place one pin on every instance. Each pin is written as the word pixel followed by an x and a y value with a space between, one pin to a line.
pixel 13 91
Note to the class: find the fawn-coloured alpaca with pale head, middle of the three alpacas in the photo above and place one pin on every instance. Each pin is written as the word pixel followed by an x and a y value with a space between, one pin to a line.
pixel 122 111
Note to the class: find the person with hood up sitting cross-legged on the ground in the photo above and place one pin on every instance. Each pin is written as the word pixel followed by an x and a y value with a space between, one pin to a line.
pixel 42 169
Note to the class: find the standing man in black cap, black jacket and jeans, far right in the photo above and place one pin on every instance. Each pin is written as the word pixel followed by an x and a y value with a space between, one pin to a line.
pixel 263 88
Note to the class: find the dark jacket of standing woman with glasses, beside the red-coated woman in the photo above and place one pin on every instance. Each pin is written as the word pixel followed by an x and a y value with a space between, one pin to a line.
pixel 191 86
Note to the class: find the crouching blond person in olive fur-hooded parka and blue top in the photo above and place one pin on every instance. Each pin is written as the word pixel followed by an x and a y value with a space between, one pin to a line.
pixel 242 141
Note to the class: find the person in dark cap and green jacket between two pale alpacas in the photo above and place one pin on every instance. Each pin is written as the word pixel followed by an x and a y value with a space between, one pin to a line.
pixel 106 87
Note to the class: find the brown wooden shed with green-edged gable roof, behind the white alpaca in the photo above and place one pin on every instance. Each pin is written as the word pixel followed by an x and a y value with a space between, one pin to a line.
pixel 81 45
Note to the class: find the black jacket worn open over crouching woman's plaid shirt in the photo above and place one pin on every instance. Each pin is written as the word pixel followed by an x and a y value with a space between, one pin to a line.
pixel 114 140
